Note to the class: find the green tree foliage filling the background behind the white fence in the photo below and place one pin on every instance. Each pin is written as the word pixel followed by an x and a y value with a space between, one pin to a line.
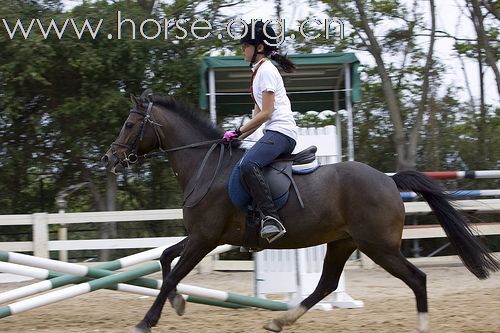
pixel 63 100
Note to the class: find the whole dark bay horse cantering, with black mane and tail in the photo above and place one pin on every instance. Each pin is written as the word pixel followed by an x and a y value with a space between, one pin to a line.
pixel 348 206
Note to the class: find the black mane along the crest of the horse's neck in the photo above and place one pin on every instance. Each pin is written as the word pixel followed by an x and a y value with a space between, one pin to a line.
pixel 192 114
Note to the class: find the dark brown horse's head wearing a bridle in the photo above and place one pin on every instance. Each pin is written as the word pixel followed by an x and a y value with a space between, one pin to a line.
pixel 139 135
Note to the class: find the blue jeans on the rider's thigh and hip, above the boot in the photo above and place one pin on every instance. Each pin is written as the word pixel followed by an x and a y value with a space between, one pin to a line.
pixel 264 151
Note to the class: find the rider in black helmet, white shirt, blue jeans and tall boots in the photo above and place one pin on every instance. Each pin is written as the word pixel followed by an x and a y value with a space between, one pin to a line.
pixel 271 108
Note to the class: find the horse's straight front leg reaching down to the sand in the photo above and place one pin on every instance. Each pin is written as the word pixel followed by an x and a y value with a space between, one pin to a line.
pixel 195 249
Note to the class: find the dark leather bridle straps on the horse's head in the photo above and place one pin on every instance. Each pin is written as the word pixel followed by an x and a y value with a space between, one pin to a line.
pixel 130 156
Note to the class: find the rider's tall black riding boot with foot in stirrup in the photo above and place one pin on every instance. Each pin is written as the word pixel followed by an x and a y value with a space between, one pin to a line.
pixel 271 227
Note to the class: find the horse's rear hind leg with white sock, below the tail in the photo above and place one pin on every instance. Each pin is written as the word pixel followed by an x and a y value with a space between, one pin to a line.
pixel 393 261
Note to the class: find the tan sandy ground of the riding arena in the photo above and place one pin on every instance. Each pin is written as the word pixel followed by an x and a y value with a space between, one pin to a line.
pixel 458 302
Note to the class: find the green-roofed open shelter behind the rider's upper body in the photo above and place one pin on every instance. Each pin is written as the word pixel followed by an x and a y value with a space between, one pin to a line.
pixel 317 84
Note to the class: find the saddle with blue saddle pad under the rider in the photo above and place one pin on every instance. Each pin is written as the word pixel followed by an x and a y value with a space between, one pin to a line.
pixel 279 176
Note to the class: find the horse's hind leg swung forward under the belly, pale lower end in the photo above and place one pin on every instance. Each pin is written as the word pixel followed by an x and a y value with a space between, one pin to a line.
pixel 336 255
